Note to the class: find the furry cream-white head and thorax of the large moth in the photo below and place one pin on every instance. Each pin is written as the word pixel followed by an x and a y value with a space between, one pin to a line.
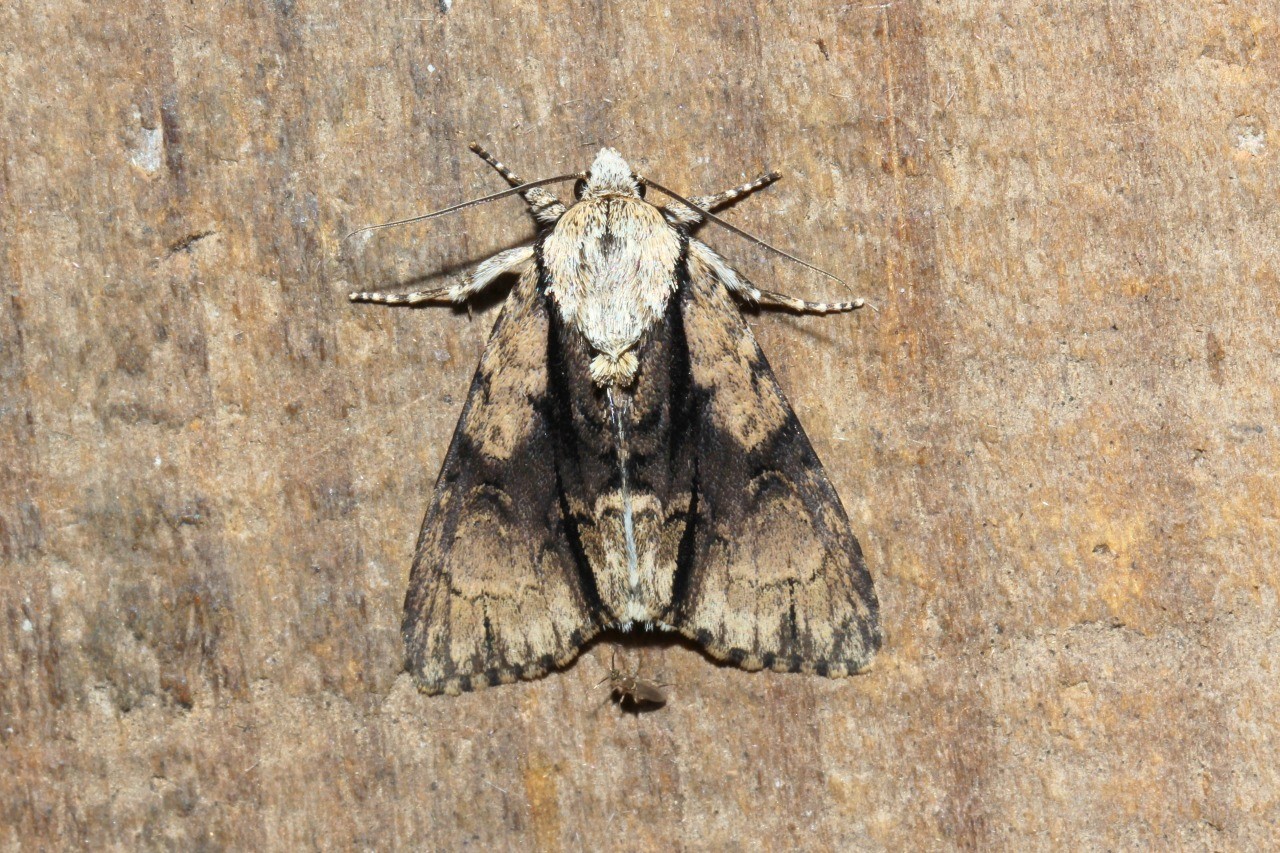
pixel 611 263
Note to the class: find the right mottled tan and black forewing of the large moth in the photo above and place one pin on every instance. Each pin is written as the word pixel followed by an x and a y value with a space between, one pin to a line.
pixel 774 577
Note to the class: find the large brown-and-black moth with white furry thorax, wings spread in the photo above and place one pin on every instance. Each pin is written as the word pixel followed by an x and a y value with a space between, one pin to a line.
pixel 625 459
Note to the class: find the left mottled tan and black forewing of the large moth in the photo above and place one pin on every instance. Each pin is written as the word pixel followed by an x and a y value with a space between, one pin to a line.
pixel 496 592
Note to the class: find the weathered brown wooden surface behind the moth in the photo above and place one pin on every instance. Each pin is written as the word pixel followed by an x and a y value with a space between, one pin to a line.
pixel 1057 436
